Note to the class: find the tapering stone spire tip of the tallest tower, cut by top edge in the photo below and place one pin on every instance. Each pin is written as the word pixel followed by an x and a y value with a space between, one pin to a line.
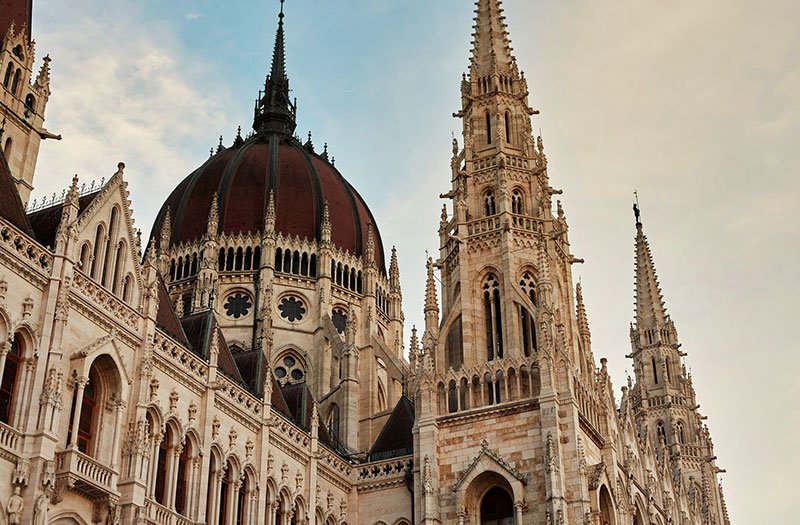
pixel 491 47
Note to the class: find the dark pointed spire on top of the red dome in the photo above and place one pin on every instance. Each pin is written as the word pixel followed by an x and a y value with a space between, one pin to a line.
pixel 275 112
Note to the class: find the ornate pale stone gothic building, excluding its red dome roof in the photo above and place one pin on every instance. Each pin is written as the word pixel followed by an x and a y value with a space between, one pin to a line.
pixel 260 377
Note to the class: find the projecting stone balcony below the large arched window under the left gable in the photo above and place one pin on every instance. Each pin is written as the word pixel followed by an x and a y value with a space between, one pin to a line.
pixel 85 475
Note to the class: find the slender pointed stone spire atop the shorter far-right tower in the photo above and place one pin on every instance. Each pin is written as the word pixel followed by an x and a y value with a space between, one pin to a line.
pixel 650 310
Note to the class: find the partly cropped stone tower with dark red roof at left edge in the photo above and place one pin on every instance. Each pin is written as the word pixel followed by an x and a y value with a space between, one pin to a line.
pixel 23 97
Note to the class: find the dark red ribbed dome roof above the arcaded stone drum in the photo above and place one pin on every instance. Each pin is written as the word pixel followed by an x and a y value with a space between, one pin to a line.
pixel 242 178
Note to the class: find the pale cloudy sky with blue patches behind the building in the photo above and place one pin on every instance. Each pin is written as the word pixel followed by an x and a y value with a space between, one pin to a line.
pixel 695 105
